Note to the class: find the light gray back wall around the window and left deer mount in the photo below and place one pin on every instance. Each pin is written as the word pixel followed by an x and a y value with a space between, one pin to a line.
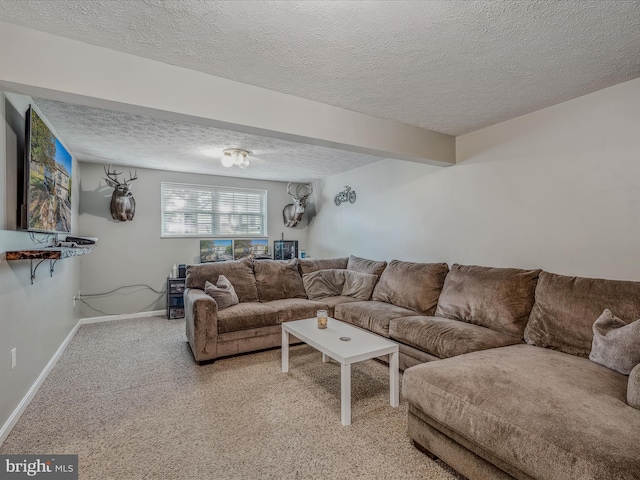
pixel 130 253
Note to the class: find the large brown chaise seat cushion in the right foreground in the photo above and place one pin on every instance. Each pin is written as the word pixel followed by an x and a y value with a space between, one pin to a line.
pixel 549 414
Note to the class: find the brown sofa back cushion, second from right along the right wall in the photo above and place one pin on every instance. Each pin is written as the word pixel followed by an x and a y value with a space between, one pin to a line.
pixel 497 298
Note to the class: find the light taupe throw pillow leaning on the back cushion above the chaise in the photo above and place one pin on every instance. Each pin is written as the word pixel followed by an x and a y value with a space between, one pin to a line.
pixel 616 343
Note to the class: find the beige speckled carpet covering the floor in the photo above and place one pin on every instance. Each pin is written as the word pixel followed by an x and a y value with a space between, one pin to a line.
pixel 129 399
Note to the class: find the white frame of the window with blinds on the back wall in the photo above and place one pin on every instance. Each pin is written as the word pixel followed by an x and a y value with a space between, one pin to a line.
pixel 212 190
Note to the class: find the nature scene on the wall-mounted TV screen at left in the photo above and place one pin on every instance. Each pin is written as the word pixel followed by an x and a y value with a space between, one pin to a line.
pixel 49 201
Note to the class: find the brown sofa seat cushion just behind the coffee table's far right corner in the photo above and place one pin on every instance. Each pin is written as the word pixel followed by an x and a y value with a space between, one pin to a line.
pixel 371 315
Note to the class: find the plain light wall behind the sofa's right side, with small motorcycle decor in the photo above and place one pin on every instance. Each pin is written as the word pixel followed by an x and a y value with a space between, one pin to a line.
pixel 557 189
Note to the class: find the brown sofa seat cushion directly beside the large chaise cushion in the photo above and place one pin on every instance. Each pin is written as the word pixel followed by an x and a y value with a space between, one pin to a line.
pixel 446 338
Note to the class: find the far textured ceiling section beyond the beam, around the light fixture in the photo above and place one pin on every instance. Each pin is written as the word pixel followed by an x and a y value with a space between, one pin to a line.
pixel 104 136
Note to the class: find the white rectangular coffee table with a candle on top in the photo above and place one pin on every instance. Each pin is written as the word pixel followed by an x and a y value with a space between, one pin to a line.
pixel 362 346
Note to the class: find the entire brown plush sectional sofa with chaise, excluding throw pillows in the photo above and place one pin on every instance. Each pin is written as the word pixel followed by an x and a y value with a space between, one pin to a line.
pixel 512 393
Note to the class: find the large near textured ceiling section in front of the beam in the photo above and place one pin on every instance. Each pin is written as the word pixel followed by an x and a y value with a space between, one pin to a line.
pixel 447 66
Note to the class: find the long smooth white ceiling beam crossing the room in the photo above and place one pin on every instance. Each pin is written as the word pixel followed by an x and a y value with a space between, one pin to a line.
pixel 40 64
